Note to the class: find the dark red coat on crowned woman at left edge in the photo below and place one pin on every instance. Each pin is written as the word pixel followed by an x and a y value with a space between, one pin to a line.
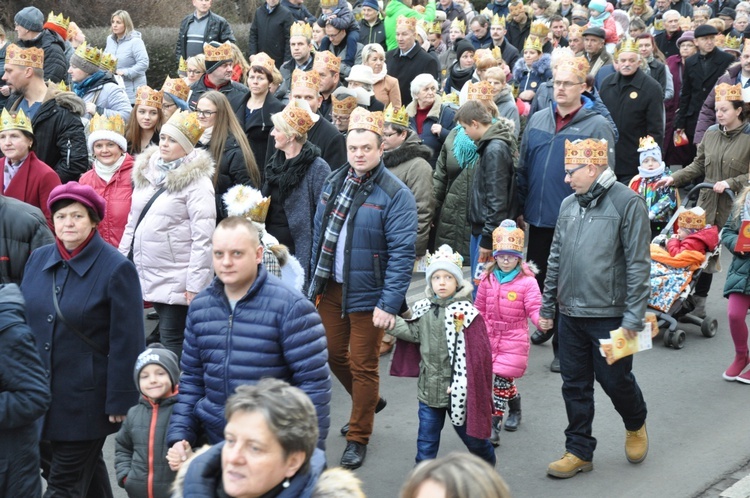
pixel 32 184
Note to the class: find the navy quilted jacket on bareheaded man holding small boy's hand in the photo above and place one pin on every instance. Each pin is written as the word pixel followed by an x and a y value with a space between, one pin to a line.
pixel 273 332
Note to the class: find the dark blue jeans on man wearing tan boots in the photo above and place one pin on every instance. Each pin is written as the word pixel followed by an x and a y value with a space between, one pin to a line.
pixel 580 363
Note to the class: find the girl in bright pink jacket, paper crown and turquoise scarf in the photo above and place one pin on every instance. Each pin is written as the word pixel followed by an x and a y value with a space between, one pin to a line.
pixel 507 297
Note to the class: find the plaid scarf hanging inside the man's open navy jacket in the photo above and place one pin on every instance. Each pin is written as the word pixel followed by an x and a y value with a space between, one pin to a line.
pixel 338 216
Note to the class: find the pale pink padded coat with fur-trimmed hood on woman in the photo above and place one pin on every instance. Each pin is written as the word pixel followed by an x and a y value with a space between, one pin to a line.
pixel 172 250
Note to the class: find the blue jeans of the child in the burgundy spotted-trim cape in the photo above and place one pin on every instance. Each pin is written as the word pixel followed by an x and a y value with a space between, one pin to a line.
pixel 431 422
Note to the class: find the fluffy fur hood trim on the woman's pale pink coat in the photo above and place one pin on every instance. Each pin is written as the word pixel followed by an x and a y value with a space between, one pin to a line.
pixel 197 164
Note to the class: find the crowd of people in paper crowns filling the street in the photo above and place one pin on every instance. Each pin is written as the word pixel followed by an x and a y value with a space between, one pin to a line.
pixel 269 205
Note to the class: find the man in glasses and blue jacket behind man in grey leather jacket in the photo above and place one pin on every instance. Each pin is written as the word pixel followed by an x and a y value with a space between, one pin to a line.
pixel 540 175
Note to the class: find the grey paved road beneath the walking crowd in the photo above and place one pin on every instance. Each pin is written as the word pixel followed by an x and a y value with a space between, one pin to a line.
pixel 697 423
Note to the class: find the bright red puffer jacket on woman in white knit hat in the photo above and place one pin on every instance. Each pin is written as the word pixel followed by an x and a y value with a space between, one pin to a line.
pixel 118 193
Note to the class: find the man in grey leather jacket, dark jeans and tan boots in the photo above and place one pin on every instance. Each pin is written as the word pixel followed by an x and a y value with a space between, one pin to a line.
pixel 597 281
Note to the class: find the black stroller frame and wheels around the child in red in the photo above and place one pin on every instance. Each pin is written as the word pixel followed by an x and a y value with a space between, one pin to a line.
pixel 682 307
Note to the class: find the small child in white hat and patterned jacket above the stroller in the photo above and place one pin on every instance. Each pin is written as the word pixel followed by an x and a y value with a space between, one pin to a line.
pixel 661 201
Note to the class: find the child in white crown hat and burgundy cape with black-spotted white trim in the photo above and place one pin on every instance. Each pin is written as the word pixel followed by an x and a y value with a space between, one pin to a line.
pixel 455 369
